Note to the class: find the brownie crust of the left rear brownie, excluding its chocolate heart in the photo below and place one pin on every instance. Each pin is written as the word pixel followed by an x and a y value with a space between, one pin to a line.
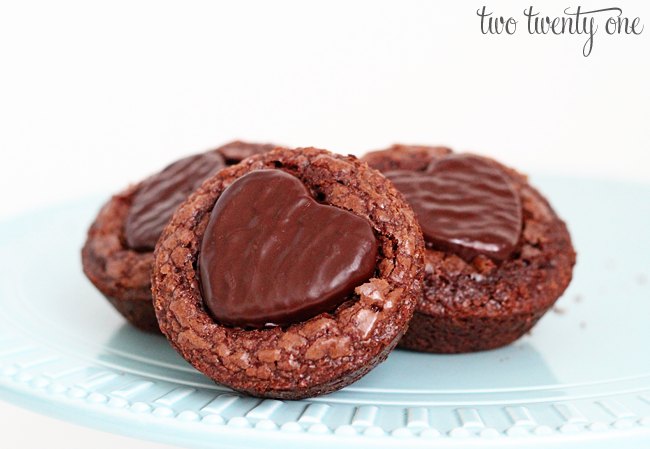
pixel 122 274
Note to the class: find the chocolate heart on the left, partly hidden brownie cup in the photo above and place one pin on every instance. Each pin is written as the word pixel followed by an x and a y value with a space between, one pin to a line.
pixel 162 193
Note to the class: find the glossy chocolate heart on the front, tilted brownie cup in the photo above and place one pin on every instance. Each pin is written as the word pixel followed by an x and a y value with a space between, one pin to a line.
pixel 272 255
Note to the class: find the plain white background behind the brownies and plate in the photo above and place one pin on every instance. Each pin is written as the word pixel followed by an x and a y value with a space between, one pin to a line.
pixel 94 96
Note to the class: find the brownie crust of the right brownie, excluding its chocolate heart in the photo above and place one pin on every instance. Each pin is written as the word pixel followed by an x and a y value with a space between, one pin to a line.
pixel 467 307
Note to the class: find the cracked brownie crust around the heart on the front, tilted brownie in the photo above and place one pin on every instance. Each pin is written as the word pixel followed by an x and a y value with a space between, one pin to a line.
pixel 328 351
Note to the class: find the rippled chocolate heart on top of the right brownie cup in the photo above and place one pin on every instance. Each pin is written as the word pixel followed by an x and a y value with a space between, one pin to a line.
pixel 465 205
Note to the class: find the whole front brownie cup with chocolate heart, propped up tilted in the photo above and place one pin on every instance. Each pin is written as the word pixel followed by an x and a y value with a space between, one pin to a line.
pixel 247 336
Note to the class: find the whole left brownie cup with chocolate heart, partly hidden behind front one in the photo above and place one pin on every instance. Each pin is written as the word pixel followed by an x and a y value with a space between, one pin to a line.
pixel 118 253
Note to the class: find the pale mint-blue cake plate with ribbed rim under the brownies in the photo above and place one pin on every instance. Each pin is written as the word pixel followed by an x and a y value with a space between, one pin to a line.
pixel 581 378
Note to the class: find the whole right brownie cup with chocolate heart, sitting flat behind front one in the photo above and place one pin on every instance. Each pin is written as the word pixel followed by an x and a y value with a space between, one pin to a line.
pixel 497 255
